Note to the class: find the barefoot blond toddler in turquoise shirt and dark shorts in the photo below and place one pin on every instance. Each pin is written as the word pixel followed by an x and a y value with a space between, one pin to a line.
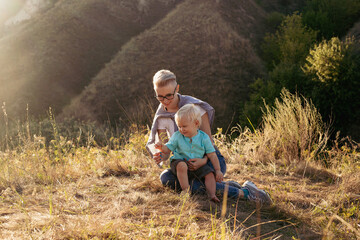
pixel 188 143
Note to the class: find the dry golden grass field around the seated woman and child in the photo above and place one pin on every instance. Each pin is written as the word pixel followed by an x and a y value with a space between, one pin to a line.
pixel 66 190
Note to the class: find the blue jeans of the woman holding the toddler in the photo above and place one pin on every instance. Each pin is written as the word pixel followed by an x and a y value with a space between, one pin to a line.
pixel 168 179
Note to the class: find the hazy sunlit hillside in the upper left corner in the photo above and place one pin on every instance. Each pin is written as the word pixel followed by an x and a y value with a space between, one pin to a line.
pixel 49 59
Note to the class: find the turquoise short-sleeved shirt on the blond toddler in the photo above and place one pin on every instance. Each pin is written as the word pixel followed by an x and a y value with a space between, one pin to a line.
pixel 188 148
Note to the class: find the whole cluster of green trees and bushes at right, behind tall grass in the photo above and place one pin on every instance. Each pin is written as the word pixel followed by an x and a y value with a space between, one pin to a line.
pixel 327 73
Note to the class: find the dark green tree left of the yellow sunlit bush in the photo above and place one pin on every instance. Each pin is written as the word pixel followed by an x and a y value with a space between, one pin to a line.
pixel 283 53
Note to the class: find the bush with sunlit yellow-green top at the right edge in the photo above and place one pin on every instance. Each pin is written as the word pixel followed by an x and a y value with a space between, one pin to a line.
pixel 334 68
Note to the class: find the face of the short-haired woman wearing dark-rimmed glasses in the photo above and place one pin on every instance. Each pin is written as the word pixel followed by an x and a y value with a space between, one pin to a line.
pixel 167 95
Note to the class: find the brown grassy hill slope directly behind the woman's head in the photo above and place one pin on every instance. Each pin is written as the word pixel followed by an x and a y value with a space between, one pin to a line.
pixel 198 41
